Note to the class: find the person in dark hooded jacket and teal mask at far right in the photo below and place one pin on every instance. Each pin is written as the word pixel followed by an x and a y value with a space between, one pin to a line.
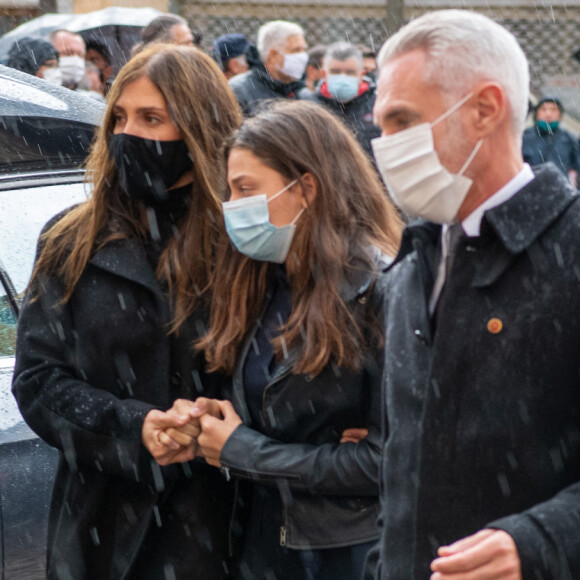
pixel 547 141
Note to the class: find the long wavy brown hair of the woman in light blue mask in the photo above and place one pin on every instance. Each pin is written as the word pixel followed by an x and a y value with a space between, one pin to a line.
pixel 350 213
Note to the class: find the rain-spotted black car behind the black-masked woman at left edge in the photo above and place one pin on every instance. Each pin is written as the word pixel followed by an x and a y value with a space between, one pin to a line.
pixel 45 136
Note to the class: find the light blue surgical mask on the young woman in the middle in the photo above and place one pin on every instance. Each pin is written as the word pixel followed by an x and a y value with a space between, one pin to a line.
pixel 250 230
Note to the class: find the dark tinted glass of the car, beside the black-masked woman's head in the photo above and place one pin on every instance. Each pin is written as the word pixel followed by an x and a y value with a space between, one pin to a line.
pixel 31 143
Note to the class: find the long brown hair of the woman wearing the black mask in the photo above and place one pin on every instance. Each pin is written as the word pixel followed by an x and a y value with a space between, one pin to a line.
pixel 205 111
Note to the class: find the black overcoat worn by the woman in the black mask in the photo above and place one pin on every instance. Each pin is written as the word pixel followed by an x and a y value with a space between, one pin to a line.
pixel 87 372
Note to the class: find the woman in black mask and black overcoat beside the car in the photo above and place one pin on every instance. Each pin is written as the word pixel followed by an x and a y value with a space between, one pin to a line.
pixel 117 298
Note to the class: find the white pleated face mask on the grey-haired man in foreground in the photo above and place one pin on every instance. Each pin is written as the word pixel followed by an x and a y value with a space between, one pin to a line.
pixel 412 172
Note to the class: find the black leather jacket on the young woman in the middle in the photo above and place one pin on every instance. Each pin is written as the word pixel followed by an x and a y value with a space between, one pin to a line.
pixel 329 490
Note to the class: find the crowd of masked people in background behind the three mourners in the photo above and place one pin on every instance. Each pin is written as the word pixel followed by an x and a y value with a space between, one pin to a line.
pixel 340 76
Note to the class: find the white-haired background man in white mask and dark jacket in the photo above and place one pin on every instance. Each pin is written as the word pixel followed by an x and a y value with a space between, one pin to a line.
pixel 277 66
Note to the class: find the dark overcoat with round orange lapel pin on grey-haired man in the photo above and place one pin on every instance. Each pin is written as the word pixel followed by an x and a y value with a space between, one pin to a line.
pixel 483 410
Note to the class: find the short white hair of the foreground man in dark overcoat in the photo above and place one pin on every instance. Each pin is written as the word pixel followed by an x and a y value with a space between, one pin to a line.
pixel 464 48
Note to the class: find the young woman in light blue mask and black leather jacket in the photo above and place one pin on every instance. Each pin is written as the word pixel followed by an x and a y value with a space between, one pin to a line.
pixel 295 320
